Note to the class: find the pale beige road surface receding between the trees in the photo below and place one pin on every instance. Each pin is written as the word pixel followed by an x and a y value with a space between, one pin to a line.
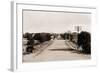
pixel 58 50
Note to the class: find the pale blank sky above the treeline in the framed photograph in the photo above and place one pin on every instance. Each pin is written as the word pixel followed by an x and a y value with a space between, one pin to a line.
pixel 39 21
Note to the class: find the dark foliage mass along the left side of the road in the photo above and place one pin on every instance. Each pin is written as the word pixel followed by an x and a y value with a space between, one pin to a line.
pixel 40 37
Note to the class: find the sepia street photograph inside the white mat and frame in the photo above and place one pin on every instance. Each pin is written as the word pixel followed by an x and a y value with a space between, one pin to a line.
pixel 49 35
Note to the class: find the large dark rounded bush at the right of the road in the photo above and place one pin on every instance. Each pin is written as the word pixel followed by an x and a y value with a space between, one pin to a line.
pixel 84 40
